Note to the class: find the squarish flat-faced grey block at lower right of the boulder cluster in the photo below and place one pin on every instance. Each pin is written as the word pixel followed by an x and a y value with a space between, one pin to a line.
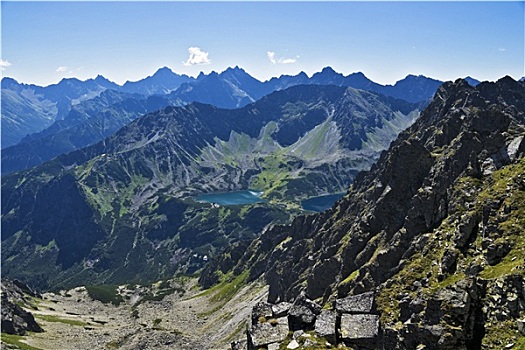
pixel 359 327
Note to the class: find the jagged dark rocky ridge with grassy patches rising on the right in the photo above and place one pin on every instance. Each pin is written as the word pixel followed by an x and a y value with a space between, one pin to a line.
pixel 434 231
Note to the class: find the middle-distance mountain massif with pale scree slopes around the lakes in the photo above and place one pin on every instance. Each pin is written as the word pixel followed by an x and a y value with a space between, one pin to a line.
pixel 113 211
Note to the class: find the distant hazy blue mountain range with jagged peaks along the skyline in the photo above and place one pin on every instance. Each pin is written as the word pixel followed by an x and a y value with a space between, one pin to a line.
pixel 29 109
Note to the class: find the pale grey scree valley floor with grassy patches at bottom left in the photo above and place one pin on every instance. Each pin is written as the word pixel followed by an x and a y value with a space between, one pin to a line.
pixel 172 314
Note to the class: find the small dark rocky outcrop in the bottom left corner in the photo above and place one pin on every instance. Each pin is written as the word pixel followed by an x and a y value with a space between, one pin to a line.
pixel 16 320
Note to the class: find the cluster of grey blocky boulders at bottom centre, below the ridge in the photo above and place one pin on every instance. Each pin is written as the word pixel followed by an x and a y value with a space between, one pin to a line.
pixel 351 322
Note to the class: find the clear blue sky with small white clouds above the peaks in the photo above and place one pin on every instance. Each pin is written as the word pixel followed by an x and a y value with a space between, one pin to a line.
pixel 43 42
